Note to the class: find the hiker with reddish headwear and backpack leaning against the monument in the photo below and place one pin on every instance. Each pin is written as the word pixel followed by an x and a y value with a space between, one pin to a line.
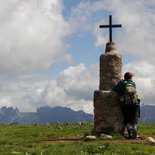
pixel 130 103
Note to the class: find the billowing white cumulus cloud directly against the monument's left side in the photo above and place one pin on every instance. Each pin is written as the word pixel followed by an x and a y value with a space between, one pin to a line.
pixel 74 88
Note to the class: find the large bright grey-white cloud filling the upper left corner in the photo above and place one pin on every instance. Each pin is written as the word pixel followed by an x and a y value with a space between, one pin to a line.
pixel 31 36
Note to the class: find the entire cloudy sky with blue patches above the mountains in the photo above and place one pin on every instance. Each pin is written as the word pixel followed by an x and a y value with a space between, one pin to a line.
pixel 49 50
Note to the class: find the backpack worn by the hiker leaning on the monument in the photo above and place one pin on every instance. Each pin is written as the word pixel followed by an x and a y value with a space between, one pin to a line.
pixel 130 93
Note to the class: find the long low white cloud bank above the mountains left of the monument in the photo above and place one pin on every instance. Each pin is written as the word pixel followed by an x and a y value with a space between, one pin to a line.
pixel 73 88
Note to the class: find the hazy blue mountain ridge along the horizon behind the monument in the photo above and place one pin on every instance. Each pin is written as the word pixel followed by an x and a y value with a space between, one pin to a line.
pixel 60 114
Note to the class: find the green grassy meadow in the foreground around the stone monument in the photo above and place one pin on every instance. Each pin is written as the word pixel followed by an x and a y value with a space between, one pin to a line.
pixel 37 140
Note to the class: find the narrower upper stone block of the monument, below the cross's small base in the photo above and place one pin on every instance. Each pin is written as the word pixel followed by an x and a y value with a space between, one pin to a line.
pixel 110 70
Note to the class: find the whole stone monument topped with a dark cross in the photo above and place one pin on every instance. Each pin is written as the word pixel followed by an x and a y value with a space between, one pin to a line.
pixel 107 112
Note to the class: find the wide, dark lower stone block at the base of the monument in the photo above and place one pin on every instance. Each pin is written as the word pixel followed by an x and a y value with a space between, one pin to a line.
pixel 107 112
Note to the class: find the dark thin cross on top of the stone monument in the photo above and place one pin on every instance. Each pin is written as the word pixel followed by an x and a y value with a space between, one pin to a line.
pixel 110 26
